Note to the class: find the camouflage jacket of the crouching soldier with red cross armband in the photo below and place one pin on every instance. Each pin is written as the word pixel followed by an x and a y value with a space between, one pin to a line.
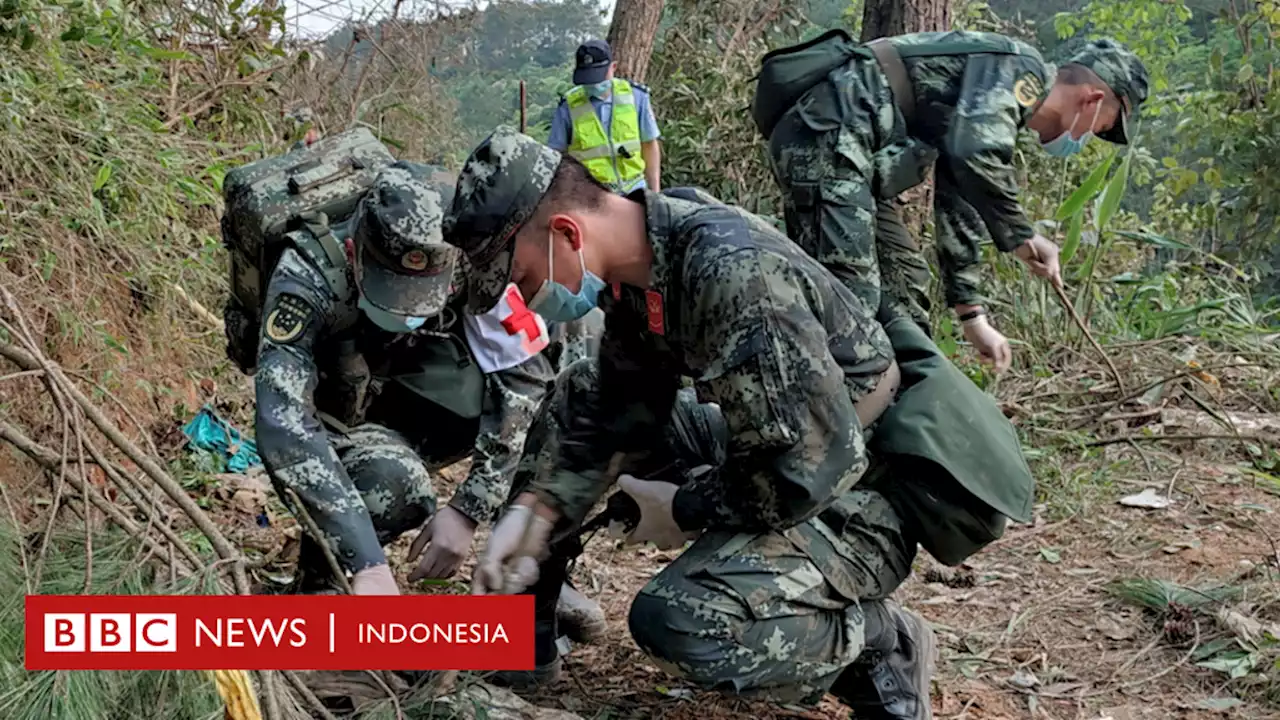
pixel 295 446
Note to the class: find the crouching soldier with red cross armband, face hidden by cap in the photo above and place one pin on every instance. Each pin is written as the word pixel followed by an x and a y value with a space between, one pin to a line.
pixel 362 397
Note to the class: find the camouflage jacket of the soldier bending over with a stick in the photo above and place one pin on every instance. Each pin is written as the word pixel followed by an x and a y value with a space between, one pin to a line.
pixel 971 108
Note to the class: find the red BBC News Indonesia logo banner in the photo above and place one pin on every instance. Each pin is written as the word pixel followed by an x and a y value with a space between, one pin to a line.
pixel 280 634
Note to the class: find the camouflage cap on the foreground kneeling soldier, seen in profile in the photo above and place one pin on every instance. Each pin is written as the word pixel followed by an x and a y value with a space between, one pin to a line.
pixel 499 190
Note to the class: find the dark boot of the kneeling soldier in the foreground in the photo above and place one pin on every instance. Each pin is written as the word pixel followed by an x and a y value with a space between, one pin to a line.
pixel 892 680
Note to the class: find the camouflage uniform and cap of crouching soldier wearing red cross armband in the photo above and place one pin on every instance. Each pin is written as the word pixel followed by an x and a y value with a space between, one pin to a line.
pixel 364 476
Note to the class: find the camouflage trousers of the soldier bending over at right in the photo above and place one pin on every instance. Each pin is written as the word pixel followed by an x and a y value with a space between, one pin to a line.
pixel 839 175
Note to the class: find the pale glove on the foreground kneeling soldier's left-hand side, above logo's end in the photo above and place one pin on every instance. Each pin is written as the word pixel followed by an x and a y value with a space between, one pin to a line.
pixel 510 560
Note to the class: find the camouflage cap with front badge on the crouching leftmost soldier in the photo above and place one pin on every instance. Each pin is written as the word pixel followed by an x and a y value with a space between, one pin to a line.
pixel 405 267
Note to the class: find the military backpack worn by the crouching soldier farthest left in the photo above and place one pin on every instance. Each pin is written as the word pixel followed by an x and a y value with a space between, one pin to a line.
pixel 301 199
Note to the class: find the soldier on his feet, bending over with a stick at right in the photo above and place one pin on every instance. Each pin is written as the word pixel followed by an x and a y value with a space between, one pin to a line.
pixel 870 130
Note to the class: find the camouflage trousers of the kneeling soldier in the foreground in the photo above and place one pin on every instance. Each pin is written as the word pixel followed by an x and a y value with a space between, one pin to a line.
pixel 755 614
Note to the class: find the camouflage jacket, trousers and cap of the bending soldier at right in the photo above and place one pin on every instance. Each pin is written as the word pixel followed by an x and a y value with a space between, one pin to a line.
pixel 844 152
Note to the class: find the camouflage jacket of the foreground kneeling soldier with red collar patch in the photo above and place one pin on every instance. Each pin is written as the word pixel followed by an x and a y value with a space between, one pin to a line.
pixel 765 332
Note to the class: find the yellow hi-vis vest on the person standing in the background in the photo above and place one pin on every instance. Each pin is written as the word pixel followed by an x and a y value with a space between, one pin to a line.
pixel 614 157
